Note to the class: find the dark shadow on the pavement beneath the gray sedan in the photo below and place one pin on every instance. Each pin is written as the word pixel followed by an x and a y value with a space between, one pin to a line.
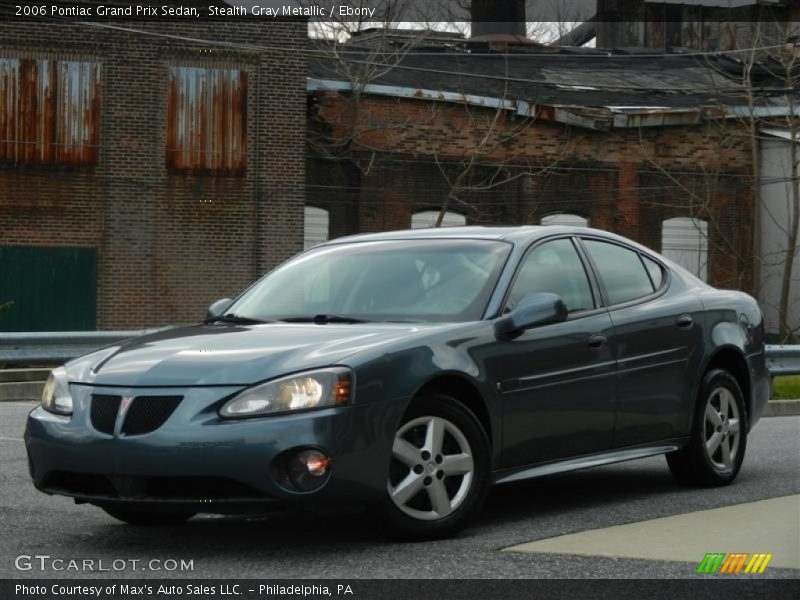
pixel 508 506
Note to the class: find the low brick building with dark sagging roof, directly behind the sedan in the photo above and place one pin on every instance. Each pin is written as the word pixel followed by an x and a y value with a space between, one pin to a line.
pixel 643 144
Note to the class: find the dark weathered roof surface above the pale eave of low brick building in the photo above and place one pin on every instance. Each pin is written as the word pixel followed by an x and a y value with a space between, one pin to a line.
pixel 562 78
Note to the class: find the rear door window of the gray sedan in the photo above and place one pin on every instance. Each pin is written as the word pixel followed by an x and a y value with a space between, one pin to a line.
pixel 621 270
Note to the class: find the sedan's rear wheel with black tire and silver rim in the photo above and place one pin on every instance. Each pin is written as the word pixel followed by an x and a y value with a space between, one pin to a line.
pixel 719 434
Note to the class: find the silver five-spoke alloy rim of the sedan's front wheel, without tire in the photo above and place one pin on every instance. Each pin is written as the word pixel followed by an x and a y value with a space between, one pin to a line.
pixel 432 468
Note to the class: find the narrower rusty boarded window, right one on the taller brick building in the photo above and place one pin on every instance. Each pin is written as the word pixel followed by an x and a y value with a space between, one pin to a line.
pixel 207 119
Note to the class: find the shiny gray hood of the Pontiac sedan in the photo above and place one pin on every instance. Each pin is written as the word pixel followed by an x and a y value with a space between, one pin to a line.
pixel 225 354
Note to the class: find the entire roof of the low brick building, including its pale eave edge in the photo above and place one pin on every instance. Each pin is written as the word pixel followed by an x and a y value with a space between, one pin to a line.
pixel 617 90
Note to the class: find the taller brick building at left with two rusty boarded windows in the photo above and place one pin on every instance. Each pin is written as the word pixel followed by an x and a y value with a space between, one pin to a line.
pixel 143 175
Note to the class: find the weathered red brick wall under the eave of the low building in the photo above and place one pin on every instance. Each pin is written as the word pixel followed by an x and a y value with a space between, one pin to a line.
pixel 405 155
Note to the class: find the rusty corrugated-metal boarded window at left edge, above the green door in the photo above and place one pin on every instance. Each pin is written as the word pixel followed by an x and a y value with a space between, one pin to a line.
pixel 49 111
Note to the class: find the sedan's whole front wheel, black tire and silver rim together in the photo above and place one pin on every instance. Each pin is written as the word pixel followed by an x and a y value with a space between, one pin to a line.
pixel 440 468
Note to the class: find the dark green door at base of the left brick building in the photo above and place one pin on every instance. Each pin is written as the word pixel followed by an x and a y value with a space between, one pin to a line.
pixel 52 289
